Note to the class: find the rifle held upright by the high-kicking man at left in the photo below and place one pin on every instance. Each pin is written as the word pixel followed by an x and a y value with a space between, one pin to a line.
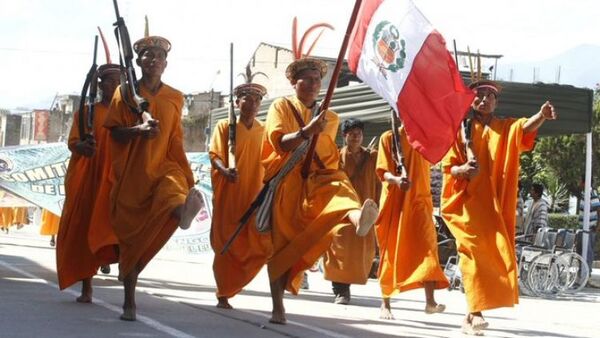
pixel 129 84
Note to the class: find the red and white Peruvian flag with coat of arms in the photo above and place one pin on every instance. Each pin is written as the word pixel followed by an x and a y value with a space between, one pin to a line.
pixel 396 51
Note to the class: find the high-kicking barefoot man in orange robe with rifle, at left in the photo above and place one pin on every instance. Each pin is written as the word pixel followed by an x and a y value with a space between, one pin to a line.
pixel 154 190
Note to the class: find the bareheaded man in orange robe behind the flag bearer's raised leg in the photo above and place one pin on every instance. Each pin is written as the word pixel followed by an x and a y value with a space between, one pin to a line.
pixel 350 257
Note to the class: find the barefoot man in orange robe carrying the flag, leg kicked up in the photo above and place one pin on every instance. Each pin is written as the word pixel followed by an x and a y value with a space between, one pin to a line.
pixel 306 211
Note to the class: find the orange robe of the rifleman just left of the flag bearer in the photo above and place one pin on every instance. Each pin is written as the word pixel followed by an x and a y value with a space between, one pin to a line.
pixel 251 249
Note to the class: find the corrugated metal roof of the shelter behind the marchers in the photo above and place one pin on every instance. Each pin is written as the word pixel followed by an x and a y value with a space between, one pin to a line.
pixel 517 100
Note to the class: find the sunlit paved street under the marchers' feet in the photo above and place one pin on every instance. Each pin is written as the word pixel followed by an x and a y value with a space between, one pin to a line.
pixel 176 299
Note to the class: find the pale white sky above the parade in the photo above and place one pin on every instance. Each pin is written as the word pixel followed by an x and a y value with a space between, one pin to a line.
pixel 46 45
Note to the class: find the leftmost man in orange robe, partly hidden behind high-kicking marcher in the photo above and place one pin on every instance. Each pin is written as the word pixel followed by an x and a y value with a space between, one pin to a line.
pixel 85 237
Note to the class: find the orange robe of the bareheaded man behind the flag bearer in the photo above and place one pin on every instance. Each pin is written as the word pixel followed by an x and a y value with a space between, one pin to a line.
pixel 350 257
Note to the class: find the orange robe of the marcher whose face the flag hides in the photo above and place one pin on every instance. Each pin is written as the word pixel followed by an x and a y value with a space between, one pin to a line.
pixel 405 231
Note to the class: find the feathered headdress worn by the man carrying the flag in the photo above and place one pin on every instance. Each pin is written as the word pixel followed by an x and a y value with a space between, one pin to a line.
pixel 302 61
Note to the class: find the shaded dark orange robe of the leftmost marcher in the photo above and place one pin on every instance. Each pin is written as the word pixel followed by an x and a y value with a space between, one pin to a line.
pixel 75 259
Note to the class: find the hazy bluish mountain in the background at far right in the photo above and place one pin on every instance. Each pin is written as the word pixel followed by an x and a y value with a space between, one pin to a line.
pixel 579 67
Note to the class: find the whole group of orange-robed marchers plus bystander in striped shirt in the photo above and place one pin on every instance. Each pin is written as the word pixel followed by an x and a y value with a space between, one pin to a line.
pixel 129 187
